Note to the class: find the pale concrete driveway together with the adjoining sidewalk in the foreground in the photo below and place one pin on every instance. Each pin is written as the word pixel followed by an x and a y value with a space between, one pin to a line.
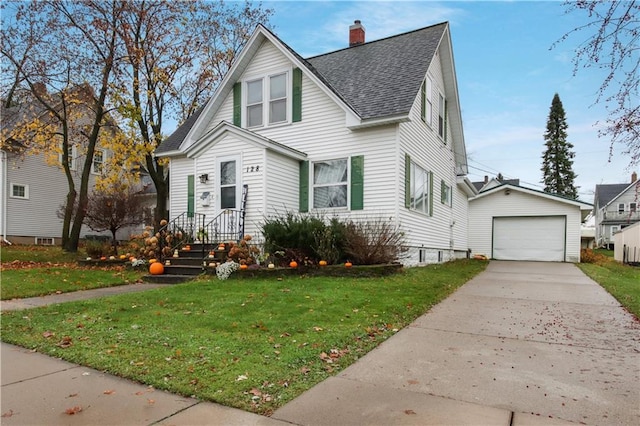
pixel 522 343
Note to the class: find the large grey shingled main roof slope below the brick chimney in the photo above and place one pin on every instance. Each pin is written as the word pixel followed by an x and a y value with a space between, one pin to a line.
pixel 381 78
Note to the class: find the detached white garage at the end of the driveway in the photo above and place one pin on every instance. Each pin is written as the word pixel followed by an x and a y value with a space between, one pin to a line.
pixel 509 222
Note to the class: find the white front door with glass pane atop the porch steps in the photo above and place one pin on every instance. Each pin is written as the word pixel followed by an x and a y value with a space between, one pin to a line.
pixel 228 197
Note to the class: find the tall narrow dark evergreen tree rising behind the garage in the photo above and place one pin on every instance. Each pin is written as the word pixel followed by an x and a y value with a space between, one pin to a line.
pixel 557 160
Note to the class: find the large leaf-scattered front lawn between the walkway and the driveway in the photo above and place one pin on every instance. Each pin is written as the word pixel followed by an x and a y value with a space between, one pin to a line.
pixel 250 344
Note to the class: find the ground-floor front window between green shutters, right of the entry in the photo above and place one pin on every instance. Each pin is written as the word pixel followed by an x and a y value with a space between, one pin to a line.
pixel 330 183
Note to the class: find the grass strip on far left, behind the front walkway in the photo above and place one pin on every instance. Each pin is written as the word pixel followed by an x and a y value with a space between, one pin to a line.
pixel 41 281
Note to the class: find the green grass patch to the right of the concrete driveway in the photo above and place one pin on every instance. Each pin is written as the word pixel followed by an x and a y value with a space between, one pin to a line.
pixel 621 281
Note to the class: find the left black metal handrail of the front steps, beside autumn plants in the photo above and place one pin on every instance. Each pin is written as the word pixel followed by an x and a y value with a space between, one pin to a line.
pixel 180 231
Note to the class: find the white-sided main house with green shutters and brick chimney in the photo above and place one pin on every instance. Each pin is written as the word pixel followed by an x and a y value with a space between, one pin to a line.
pixel 370 131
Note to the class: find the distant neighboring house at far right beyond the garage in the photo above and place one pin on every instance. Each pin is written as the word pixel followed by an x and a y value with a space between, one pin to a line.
pixel 616 207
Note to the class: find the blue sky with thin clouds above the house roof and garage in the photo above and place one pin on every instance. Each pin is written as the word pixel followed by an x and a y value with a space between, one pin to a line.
pixel 507 76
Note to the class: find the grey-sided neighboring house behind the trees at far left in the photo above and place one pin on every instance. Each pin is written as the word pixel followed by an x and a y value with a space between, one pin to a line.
pixel 33 189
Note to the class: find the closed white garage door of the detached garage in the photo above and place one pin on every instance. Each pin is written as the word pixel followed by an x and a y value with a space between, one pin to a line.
pixel 529 238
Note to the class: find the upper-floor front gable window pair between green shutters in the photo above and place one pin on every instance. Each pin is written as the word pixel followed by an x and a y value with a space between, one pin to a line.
pixel 266 101
